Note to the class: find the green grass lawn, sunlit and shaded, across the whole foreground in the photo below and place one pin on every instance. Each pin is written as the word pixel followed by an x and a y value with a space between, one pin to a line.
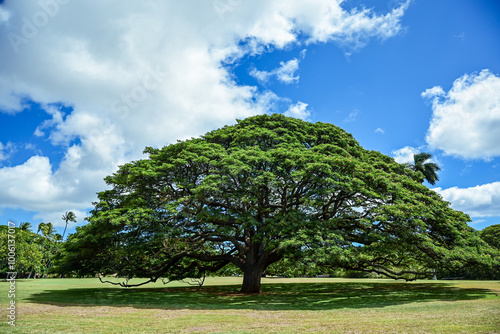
pixel 285 306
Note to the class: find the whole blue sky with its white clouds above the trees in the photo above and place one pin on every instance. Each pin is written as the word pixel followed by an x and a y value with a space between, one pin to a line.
pixel 84 87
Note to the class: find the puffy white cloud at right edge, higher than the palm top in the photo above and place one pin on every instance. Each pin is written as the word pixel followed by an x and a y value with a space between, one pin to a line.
pixel 466 119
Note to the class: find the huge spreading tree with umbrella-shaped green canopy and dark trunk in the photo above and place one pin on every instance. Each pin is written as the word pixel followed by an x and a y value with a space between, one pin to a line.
pixel 269 188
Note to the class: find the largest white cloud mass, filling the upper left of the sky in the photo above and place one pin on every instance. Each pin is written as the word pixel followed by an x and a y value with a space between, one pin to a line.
pixel 132 74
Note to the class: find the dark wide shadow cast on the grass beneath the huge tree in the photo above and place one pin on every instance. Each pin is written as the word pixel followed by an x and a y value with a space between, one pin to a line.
pixel 291 296
